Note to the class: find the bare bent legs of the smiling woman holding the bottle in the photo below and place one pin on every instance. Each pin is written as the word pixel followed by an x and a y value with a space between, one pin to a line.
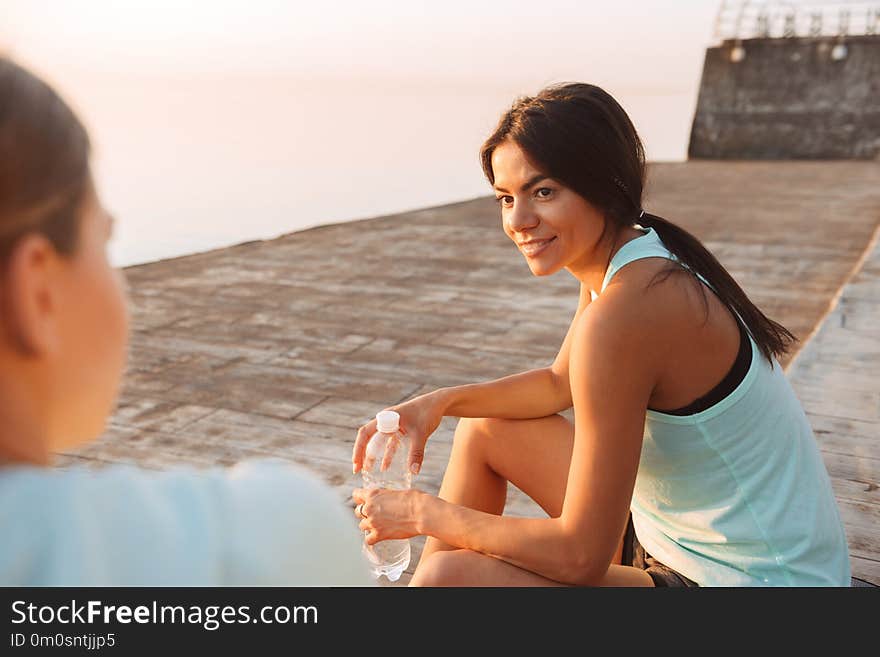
pixel 534 455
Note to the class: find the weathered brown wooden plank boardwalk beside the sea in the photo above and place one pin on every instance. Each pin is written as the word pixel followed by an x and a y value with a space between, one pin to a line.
pixel 283 348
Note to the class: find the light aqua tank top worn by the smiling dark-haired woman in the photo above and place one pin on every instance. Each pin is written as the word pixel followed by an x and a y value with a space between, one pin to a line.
pixel 737 494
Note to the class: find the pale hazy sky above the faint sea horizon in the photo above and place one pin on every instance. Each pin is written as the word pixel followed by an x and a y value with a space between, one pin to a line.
pixel 640 43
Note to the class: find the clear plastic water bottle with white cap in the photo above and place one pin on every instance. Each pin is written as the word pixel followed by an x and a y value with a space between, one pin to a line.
pixel 385 466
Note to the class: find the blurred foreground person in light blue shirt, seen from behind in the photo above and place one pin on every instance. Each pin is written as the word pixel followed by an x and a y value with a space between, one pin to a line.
pixel 63 335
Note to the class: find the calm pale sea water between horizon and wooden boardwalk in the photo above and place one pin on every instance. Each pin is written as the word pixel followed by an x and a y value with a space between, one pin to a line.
pixel 192 163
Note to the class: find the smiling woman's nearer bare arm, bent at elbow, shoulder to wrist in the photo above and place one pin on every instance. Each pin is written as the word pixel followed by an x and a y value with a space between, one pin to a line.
pixel 613 371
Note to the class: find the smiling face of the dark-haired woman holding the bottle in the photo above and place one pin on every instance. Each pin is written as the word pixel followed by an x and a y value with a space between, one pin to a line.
pixel 553 226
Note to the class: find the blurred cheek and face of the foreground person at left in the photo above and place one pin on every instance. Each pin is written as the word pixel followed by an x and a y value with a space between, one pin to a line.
pixel 92 334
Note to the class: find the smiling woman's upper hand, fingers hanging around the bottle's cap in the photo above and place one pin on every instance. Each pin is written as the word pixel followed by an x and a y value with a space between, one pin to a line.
pixel 419 418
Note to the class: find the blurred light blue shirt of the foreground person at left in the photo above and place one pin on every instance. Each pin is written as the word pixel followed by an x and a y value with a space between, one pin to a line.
pixel 258 523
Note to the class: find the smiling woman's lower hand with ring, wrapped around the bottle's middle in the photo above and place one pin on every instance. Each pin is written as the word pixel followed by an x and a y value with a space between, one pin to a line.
pixel 385 513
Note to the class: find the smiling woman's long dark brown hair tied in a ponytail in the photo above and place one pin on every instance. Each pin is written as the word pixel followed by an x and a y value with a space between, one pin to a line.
pixel 579 135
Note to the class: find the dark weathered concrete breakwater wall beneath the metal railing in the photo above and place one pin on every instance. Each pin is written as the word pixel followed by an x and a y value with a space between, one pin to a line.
pixel 805 97
